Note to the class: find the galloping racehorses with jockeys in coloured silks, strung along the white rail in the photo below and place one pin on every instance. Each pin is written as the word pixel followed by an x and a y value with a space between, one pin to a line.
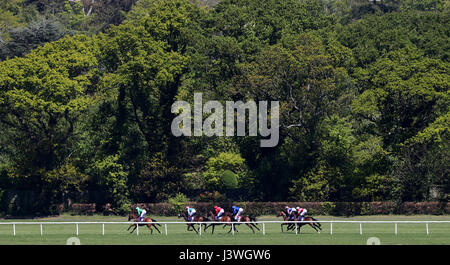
pixel 225 220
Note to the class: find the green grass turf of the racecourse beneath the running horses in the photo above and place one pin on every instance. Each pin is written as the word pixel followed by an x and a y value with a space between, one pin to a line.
pixel 343 233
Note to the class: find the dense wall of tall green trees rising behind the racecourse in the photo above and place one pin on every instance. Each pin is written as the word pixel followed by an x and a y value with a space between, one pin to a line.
pixel 85 101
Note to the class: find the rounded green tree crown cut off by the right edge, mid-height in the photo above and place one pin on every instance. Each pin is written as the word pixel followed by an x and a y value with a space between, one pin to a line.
pixel 406 91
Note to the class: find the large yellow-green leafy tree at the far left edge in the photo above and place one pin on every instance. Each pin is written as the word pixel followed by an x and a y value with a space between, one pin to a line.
pixel 41 97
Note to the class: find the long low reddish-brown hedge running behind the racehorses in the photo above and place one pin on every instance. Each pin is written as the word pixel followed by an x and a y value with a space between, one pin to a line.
pixel 272 208
